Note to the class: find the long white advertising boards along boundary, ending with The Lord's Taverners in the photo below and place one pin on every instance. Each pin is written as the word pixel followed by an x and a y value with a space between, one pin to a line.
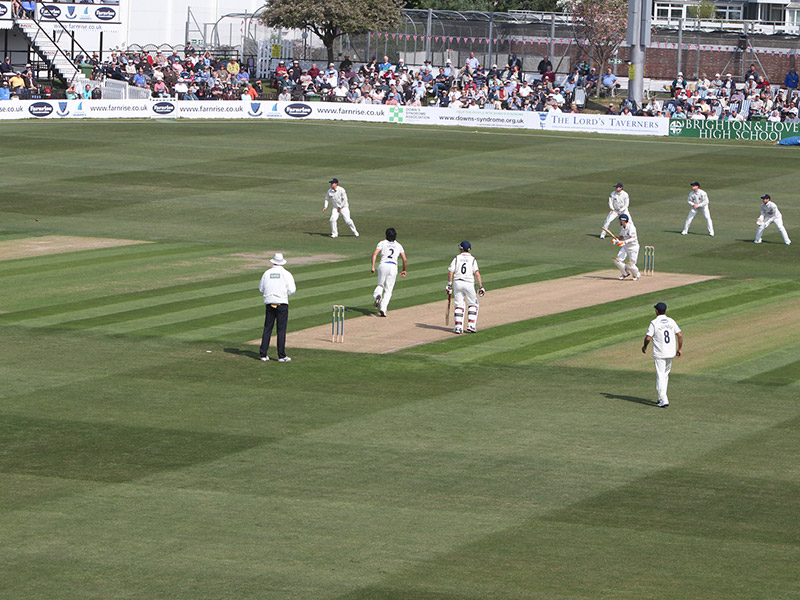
pixel 330 111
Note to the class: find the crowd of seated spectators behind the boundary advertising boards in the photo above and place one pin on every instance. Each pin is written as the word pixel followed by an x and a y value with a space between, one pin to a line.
pixel 199 75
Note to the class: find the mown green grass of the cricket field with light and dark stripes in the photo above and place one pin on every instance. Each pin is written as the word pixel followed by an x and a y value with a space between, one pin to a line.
pixel 145 453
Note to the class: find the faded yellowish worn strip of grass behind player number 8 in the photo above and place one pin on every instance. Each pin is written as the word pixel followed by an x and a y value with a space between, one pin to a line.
pixel 711 344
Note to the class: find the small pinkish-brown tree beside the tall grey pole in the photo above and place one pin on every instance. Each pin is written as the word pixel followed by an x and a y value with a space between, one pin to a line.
pixel 600 25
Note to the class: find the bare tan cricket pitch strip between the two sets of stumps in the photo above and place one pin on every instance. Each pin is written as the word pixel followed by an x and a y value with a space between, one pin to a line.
pixel 418 325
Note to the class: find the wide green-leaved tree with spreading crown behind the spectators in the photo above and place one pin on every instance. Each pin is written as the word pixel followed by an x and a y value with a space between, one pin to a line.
pixel 329 19
